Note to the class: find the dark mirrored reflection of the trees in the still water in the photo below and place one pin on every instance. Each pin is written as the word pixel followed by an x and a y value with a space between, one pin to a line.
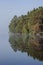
pixel 32 45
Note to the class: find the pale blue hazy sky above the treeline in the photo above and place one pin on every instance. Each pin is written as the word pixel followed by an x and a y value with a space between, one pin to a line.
pixel 9 8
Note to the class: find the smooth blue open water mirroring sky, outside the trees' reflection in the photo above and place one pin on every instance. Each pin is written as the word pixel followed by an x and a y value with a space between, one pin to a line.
pixel 9 57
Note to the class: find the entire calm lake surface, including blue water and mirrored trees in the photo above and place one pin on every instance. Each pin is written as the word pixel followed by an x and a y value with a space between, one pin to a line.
pixel 20 49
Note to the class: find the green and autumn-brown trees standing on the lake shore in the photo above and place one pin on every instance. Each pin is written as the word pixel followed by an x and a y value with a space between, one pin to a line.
pixel 28 23
